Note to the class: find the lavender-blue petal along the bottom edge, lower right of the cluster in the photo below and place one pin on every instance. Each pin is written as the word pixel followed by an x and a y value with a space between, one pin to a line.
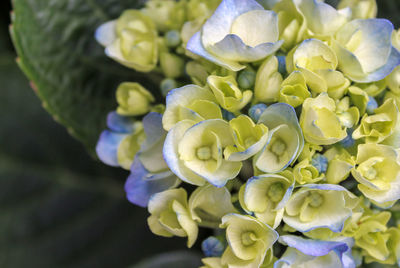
pixel 314 248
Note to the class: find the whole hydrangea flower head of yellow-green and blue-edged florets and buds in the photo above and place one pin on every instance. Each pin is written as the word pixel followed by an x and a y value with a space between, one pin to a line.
pixel 280 130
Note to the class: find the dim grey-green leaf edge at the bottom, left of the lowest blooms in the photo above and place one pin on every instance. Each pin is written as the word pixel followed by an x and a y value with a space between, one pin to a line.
pixel 176 259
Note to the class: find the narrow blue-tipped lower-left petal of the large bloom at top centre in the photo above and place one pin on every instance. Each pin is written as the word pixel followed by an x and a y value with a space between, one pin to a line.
pixel 195 46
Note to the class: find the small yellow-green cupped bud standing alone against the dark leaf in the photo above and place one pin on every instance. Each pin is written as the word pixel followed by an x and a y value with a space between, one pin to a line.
pixel 133 99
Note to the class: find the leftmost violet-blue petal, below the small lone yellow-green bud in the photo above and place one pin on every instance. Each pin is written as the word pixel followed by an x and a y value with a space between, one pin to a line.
pixel 107 147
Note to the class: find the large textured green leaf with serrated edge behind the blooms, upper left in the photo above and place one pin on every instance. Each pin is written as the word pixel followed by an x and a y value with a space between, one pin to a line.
pixel 76 82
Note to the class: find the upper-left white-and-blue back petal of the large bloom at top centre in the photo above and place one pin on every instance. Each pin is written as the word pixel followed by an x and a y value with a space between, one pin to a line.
pixel 220 23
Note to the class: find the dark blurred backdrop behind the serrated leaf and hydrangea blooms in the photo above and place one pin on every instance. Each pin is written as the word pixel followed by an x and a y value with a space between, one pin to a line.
pixel 59 207
